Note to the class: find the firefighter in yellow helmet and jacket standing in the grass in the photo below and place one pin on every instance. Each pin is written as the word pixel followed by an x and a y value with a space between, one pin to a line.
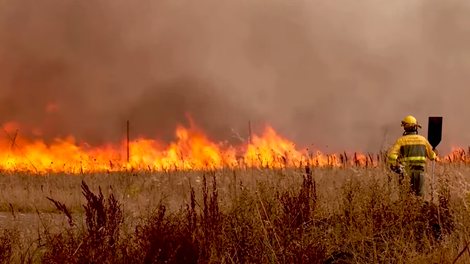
pixel 409 154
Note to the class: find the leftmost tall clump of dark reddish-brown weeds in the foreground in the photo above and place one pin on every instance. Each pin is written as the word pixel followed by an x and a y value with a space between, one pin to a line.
pixel 98 243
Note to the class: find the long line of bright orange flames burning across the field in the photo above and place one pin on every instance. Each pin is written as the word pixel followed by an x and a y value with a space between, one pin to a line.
pixel 191 150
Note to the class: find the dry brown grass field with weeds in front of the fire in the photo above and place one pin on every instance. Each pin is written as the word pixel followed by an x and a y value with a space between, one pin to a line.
pixel 304 215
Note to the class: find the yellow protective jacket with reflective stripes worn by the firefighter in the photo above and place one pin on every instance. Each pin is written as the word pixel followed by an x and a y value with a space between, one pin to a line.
pixel 411 150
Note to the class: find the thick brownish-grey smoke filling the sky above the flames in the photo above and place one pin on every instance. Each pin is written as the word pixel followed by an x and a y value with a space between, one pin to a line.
pixel 332 75
